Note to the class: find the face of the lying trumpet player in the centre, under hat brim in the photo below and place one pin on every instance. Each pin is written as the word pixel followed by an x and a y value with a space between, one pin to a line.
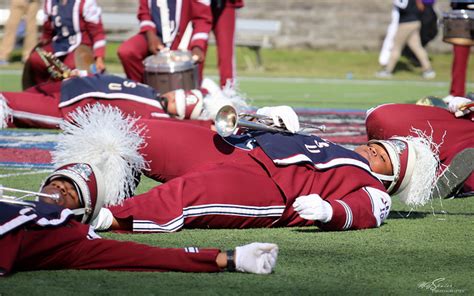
pixel 378 158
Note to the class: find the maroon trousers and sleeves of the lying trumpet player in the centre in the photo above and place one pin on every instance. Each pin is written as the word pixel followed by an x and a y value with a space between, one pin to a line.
pixel 212 184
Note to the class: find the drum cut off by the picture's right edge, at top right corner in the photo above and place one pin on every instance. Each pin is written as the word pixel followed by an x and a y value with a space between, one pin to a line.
pixel 458 27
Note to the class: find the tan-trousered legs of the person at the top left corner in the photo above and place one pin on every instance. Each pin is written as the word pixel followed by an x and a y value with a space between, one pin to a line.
pixel 19 9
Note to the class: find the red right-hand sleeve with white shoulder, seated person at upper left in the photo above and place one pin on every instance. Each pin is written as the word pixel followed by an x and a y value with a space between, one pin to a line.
pixel 91 13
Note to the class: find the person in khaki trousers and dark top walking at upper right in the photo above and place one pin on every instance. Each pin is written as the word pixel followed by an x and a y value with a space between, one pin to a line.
pixel 408 32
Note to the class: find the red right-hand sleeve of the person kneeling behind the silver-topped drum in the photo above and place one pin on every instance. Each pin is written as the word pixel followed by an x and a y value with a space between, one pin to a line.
pixel 202 24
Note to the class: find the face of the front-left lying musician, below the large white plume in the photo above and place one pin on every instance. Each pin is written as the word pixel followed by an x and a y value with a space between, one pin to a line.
pixel 68 196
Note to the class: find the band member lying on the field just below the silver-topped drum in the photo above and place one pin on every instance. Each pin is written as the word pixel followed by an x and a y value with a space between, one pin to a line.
pixel 47 104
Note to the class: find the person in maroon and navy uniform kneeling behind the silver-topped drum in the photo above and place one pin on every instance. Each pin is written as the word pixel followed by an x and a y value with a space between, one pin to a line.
pixel 162 27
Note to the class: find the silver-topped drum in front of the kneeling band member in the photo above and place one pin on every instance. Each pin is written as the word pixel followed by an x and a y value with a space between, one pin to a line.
pixel 170 70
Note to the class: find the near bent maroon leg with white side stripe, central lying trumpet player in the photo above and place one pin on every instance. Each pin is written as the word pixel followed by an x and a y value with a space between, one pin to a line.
pixel 225 195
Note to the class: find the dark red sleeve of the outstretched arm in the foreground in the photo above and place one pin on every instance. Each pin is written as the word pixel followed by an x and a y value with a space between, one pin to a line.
pixel 75 246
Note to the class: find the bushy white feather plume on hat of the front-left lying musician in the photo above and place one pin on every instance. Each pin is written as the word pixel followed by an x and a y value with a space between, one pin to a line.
pixel 104 137
